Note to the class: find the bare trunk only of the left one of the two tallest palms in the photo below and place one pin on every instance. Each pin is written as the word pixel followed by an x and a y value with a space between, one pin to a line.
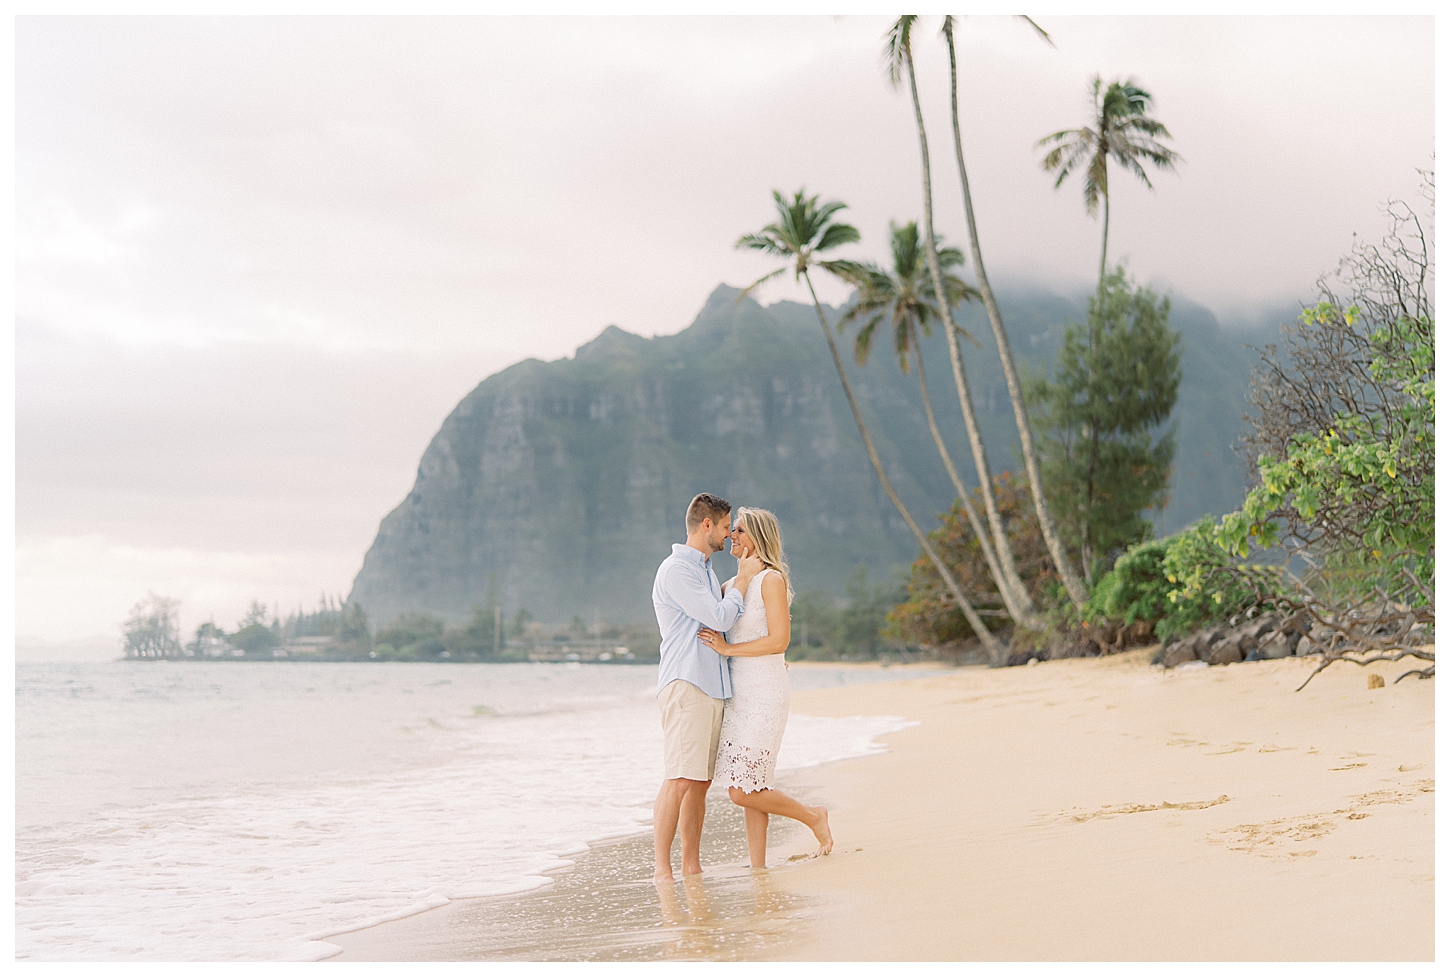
pixel 1014 594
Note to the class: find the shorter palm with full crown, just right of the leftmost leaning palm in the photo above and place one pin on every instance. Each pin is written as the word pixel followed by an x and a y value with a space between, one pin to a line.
pixel 903 296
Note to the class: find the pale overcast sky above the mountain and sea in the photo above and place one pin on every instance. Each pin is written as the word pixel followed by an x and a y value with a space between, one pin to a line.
pixel 260 260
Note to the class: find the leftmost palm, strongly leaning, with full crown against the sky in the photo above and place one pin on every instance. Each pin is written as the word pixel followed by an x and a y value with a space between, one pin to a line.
pixel 803 231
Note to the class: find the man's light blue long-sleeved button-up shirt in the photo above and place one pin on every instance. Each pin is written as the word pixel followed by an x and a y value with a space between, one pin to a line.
pixel 687 598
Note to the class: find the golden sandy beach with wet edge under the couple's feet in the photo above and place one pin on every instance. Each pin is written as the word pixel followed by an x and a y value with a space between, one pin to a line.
pixel 1084 810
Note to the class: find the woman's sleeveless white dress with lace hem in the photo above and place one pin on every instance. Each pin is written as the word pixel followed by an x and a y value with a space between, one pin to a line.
pixel 759 705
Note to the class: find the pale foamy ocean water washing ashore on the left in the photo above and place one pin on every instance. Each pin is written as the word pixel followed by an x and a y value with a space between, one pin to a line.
pixel 250 811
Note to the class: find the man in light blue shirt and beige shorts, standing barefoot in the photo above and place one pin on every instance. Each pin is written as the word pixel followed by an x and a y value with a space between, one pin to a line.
pixel 694 681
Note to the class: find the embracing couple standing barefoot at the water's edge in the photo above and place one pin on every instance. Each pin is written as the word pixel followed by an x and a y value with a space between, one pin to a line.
pixel 724 697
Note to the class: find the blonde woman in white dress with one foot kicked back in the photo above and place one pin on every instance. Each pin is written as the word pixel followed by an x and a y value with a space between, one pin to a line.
pixel 758 710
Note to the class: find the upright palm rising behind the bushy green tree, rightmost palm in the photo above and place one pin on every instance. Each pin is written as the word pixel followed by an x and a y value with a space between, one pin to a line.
pixel 1120 131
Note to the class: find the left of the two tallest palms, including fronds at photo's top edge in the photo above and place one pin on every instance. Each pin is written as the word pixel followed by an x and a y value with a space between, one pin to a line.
pixel 898 56
